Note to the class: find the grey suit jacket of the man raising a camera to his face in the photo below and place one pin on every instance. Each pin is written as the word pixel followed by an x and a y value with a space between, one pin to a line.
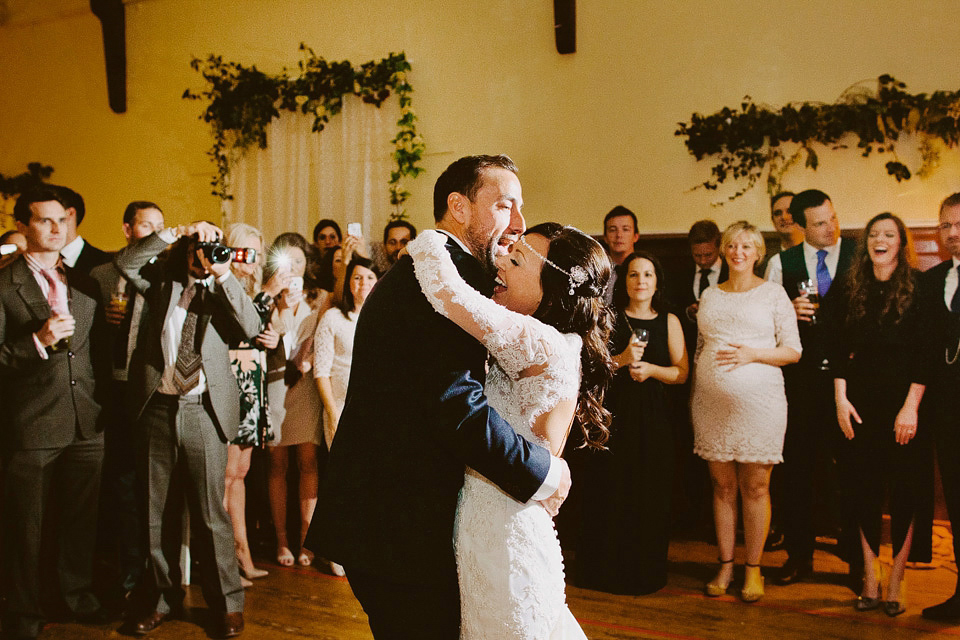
pixel 228 317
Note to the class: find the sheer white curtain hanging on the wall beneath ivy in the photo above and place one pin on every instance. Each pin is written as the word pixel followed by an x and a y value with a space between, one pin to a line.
pixel 302 176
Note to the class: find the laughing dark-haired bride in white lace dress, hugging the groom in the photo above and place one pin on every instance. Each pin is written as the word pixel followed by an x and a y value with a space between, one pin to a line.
pixel 546 329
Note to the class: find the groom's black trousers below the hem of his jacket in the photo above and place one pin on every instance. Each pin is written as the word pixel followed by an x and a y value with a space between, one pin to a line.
pixel 403 611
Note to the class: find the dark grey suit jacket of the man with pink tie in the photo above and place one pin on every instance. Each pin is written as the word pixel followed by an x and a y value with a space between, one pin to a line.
pixel 47 403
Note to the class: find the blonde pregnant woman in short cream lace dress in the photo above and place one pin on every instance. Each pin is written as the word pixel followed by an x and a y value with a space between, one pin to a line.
pixel 747 331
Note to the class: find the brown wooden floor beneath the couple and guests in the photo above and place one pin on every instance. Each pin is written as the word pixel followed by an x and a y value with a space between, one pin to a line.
pixel 305 603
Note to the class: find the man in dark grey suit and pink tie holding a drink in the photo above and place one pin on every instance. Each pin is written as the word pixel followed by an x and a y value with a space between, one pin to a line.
pixel 51 442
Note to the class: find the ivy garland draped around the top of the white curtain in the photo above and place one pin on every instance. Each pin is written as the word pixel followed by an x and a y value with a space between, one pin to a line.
pixel 243 100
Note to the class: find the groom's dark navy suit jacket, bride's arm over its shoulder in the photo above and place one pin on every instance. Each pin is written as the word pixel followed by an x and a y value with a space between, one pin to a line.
pixel 415 414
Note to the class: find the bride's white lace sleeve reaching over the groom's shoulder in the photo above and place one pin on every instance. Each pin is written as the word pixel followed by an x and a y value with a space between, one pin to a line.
pixel 516 341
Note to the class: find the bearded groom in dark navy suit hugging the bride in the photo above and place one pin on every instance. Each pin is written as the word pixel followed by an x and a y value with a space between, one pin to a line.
pixel 388 503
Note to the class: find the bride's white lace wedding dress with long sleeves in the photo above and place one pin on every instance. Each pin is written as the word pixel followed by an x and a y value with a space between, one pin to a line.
pixel 508 555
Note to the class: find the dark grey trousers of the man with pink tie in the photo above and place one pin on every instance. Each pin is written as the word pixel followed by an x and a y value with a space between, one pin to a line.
pixel 35 479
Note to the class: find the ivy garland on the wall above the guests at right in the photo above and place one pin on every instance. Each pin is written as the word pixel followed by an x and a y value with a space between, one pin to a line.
pixel 750 141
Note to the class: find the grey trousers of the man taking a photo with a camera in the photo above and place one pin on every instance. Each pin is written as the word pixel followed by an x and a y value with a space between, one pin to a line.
pixel 185 464
